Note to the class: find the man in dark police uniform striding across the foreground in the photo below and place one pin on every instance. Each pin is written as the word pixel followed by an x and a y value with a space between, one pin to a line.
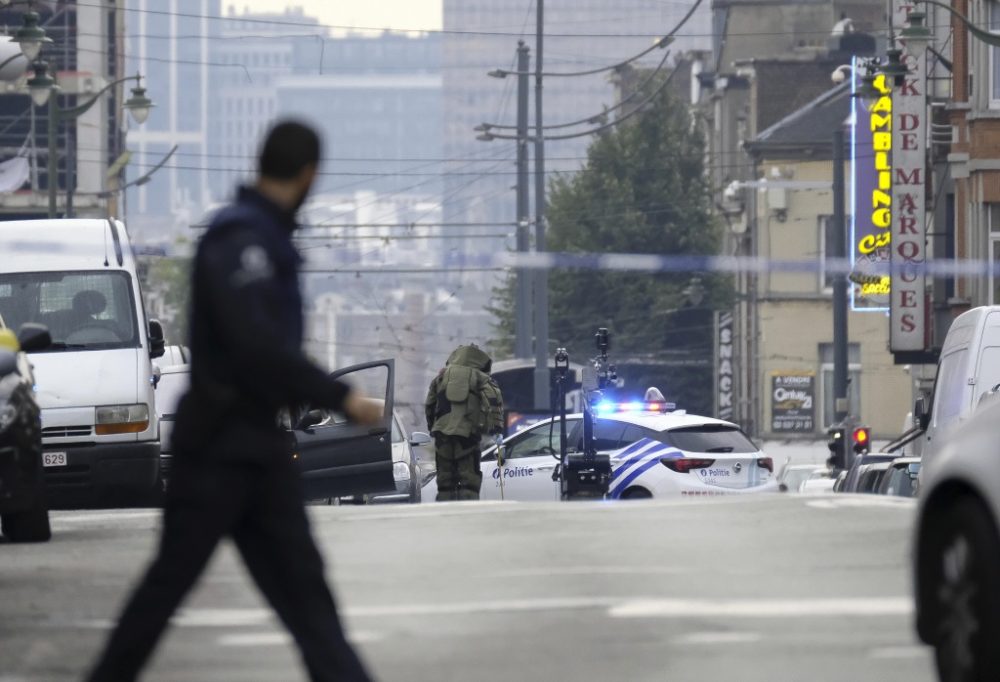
pixel 233 472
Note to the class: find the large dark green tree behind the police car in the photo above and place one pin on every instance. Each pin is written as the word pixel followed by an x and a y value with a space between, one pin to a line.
pixel 642 190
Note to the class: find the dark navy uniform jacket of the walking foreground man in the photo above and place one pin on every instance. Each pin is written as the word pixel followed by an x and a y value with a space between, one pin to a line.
pixel 246 337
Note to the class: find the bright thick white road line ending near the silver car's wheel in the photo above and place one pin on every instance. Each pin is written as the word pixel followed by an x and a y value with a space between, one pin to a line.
pixel 761 608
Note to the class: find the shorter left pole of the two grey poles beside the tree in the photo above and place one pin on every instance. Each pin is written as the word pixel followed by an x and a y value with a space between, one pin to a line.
pixel 522 331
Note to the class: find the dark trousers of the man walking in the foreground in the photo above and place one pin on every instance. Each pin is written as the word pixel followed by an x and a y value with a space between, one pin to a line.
pixel 258 504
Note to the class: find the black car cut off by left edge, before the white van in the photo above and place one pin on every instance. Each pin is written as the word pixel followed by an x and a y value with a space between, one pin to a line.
pixel 24 515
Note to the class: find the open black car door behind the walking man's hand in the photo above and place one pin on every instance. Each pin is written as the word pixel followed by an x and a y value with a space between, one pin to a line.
pixel 338 458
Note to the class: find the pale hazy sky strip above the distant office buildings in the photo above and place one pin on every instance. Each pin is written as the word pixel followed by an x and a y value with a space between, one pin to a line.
pixel 418 14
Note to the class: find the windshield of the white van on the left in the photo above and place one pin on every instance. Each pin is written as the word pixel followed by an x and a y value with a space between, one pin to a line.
pixel 83 310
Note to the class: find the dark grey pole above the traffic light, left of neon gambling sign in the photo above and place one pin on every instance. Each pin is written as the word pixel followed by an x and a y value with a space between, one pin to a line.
pixel 840 409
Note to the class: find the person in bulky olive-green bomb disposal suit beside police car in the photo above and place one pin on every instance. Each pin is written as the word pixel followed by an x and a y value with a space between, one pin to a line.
pixel 463 404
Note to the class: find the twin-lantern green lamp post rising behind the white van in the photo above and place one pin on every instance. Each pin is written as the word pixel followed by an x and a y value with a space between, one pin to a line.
pixel 42 87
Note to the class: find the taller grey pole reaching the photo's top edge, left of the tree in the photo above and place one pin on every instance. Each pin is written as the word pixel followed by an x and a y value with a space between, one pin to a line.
pixel 542 383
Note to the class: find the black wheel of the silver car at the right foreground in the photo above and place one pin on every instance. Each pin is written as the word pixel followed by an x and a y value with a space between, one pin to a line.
pixel 960 559
